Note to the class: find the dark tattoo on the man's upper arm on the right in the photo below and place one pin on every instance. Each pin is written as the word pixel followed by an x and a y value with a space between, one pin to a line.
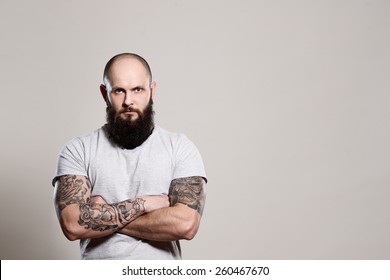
pixel 188 191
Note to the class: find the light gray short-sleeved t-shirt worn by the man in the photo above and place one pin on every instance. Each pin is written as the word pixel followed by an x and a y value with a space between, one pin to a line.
pixel 118 174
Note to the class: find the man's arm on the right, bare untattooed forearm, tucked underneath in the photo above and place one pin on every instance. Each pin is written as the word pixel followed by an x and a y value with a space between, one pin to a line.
pixel 180 221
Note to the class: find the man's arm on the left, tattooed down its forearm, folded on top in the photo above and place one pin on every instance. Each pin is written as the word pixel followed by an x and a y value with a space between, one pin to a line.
pixel 81 216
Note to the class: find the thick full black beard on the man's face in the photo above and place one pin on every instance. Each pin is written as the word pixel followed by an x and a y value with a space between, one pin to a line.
pixel 127 133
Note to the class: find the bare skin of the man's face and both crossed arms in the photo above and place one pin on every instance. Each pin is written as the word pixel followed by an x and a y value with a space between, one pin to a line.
pixel 128 90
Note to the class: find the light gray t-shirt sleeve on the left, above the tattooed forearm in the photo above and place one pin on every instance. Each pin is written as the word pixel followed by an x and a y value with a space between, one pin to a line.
pixel 71 160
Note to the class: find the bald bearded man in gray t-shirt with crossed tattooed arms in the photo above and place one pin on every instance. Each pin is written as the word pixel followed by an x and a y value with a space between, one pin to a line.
pixel 130 189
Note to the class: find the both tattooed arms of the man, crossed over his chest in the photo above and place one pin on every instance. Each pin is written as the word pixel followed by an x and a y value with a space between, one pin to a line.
pixel 149 217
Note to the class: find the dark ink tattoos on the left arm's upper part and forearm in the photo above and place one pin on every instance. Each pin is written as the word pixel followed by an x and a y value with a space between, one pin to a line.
pixel 97 217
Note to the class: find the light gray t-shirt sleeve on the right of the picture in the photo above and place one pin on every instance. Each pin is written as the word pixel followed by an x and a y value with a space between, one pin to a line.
pixel 188 161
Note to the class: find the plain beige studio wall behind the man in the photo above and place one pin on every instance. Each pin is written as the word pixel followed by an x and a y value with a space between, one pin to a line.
pixel 288 102
